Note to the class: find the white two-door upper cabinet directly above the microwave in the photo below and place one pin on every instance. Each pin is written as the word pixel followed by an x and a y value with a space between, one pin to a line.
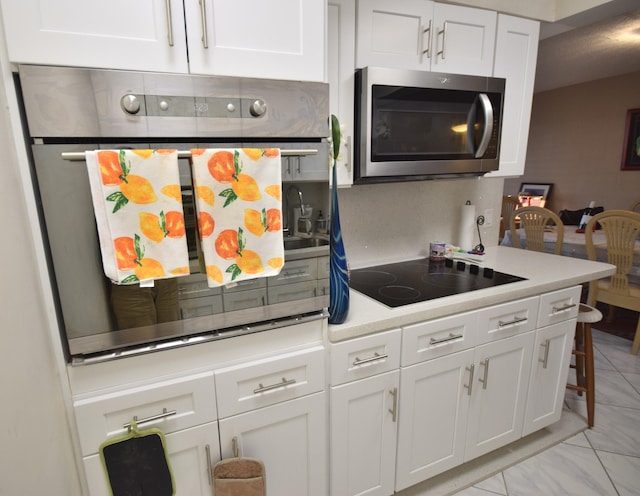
pixel 423 35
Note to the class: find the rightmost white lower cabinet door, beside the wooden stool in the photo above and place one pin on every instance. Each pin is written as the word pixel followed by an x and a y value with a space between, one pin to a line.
pixel 550 367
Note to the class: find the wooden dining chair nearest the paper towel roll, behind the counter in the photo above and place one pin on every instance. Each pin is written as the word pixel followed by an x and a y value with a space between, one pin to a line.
pixel 533 221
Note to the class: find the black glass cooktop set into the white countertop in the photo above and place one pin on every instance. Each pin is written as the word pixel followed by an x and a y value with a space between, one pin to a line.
pixel 403 283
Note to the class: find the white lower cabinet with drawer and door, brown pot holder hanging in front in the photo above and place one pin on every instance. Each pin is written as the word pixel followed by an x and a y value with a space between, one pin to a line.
pixel 275 409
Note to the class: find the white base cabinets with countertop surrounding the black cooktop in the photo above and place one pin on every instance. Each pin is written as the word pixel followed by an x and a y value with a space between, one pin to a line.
pixel 432 388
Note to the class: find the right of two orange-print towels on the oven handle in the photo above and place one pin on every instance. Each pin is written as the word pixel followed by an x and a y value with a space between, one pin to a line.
pixel 239 206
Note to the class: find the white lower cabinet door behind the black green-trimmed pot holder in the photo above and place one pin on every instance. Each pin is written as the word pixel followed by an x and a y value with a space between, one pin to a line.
pixel 192 452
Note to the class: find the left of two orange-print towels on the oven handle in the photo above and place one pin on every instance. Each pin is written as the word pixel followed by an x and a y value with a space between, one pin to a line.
pixel 138 208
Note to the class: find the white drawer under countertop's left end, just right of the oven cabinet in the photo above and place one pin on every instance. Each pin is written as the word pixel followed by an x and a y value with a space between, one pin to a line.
pixel 363 357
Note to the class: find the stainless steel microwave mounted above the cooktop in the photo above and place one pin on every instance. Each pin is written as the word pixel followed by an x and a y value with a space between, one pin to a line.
pixel 422 125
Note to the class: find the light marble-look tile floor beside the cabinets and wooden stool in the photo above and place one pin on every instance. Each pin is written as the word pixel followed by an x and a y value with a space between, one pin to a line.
pixel 601 461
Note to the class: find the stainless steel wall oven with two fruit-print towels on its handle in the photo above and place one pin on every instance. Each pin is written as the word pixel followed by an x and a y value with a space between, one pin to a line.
pixel 70 110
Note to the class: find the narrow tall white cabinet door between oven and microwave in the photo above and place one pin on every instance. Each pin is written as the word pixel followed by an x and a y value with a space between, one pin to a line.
pixel 341 66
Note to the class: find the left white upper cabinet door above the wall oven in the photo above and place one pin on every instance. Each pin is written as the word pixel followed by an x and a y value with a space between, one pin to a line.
pixel 146 35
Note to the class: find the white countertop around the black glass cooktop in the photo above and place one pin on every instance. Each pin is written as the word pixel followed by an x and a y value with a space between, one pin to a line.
pixel 544 272
